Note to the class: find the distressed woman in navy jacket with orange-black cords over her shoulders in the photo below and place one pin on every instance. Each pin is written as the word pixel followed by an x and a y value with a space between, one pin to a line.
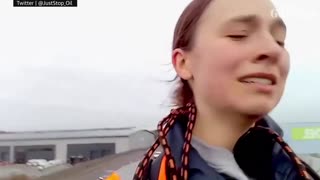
pixel 232 67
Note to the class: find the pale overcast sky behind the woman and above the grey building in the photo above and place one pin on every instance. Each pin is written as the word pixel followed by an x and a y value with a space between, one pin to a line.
pixel 104 63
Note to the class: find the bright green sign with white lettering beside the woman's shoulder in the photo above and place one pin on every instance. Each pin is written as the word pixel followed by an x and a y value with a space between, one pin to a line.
pixel 310 133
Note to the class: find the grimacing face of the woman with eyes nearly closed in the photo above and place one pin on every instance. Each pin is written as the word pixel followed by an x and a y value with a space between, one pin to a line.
pixel 238 61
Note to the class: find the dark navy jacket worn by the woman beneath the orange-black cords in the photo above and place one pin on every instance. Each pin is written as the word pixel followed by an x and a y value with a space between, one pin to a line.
pixel 256 153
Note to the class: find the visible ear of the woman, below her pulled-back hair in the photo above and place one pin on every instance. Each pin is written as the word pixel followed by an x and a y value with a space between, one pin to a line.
pixel 181 64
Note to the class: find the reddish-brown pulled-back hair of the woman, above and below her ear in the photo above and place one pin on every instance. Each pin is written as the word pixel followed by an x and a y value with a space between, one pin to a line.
pixel 183 39
